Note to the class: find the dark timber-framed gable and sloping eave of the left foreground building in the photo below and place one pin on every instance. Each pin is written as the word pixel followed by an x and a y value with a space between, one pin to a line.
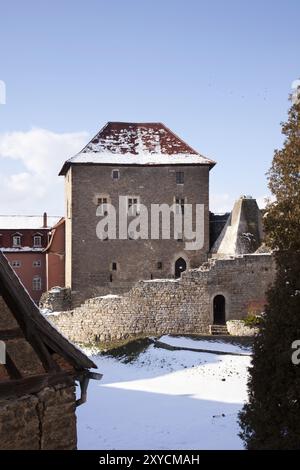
pixel 37 354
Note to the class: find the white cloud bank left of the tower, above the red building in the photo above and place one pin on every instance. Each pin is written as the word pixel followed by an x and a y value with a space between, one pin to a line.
pixel 29 179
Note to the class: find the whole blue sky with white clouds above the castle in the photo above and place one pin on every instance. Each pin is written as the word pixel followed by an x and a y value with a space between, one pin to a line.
pixel 216 72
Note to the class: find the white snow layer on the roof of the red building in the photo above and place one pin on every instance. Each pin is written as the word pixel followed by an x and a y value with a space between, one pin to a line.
pixel 19 222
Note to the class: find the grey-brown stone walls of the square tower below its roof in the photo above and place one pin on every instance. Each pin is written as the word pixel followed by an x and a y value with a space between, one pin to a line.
pixel 89 260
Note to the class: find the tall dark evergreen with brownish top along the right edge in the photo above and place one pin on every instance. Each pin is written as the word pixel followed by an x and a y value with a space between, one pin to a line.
pixel 271 418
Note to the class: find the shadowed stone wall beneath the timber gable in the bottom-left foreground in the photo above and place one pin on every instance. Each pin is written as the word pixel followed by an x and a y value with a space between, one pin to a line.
pixel 42 421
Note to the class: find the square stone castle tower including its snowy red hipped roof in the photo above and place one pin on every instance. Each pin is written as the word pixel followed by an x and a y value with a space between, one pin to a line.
pixel 146 164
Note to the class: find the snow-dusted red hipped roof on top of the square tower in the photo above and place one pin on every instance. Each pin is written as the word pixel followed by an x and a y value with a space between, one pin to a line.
pixel 130 143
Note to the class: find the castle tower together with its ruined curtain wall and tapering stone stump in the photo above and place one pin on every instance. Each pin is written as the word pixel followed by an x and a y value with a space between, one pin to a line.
pixel 159 287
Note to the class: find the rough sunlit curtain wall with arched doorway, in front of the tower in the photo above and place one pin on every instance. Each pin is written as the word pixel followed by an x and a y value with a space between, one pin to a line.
pixel 183 306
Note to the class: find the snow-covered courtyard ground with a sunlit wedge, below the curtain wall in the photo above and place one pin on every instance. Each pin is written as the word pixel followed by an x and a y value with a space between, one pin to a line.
pixel 166 400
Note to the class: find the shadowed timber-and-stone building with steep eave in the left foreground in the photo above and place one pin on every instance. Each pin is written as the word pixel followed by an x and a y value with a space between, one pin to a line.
pixel 38 373
